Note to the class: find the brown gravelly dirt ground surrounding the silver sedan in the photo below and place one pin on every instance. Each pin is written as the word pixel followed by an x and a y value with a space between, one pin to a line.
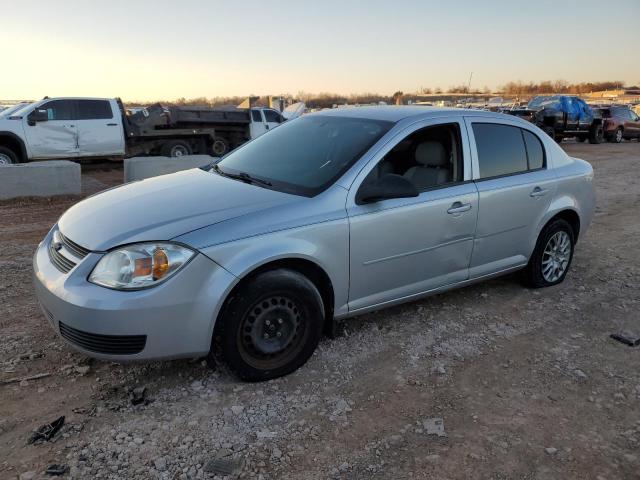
pixel 527 383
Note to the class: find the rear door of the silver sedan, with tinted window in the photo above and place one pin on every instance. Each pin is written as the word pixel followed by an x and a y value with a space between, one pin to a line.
pixel 515 189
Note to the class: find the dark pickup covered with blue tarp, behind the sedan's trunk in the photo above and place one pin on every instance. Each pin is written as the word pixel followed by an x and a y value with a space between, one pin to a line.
pixel 562 116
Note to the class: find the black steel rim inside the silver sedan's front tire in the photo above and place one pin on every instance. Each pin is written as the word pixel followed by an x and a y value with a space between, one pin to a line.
pixel 272 331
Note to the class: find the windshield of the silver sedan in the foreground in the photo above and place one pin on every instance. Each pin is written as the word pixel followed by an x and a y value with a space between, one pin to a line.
pixel 306 155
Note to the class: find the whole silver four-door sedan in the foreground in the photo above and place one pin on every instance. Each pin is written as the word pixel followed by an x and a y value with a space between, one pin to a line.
pixel 328 216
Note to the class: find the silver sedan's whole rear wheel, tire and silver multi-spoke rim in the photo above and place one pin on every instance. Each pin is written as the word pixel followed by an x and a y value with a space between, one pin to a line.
pixel 552 255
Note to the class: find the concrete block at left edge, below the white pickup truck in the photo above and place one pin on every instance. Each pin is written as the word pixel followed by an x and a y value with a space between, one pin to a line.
pixel 40 179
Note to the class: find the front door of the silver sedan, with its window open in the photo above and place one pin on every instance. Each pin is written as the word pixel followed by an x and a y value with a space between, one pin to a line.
pixel 404 247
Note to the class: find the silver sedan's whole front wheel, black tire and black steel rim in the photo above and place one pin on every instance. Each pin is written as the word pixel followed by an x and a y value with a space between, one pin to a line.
pixel 270 326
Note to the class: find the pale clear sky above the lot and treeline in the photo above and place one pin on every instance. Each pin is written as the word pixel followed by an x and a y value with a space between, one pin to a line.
pixel 166 49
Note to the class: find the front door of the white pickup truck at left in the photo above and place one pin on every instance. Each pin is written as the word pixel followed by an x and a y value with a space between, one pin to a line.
pixel 57 137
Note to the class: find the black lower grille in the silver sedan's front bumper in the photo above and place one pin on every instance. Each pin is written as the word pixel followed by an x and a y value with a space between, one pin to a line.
pixel 108 344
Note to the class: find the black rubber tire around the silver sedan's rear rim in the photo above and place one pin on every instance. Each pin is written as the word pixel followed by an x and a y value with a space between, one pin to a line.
pixel 533 273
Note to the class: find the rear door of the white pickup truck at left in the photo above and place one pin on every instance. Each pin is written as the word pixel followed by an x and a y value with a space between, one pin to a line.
pixel 99 129
